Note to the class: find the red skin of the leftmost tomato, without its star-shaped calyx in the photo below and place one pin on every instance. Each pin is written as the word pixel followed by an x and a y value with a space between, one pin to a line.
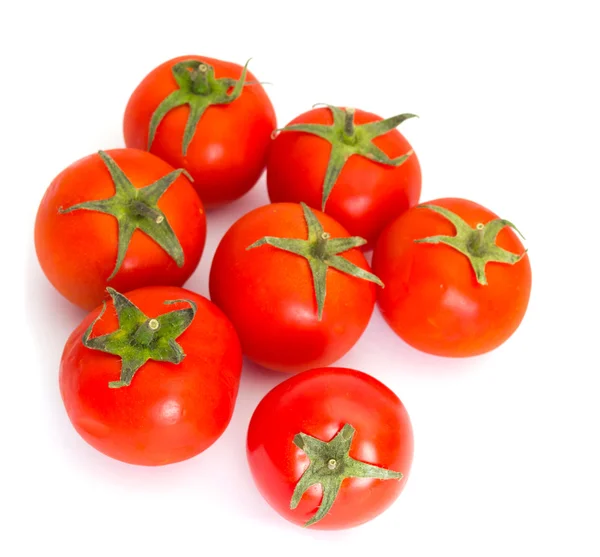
pixel 78 251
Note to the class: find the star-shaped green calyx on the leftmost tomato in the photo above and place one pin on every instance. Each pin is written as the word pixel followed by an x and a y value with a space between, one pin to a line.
pixel 136 208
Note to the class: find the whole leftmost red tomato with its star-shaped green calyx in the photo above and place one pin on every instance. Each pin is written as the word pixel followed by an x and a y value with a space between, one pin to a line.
pixel 121 218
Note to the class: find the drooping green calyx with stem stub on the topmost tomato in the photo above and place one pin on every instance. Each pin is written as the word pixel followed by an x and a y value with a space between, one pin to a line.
pixel 199 89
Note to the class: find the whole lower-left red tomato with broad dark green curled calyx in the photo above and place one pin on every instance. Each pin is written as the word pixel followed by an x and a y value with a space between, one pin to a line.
pixel 161 386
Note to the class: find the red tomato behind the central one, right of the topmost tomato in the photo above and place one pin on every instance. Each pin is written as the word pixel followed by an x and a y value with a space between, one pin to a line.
pixel 353 165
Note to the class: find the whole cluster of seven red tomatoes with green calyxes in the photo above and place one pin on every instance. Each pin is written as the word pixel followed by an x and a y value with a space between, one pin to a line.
pixel 151 375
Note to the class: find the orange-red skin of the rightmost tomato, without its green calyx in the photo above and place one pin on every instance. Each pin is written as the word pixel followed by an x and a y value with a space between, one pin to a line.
pixel 432 299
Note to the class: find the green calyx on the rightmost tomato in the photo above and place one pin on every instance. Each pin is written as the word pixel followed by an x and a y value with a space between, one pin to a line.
pixel 478 244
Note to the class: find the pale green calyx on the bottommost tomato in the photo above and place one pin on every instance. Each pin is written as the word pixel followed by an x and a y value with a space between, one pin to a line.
pixel 330 465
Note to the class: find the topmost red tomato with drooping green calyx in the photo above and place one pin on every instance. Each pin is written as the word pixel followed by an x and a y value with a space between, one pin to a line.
pixel 207 119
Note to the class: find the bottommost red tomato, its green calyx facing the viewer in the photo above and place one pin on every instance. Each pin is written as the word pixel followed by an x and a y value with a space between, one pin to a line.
pixel 331 447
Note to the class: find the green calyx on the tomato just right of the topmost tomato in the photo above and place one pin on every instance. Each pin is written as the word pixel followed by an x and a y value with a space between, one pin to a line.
pixel 347 139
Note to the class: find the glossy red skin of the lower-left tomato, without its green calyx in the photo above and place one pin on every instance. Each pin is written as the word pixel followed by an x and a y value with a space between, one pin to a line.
pixel 169 412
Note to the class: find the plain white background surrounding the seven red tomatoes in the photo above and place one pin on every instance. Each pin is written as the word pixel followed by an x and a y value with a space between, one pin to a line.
pixel 506 457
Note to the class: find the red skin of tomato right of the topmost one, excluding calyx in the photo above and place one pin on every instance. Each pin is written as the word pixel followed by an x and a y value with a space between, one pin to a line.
pixel 366 196
